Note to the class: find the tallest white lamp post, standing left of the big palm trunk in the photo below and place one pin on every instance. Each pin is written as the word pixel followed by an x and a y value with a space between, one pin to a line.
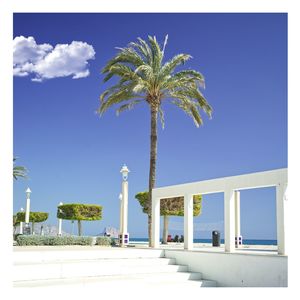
pixel 124 235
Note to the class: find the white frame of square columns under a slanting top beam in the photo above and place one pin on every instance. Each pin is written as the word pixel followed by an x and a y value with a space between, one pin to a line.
pixel 227 185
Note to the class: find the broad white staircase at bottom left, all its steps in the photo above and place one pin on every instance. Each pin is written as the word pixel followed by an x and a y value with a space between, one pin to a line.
pixel 106 268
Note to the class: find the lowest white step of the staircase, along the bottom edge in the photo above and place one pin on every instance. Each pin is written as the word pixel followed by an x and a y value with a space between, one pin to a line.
pixel 167 281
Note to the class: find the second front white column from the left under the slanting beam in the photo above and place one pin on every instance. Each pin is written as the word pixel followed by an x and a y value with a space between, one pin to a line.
pixel 188 222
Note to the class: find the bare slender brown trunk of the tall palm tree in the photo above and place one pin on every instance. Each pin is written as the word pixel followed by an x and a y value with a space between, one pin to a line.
pixel 152 172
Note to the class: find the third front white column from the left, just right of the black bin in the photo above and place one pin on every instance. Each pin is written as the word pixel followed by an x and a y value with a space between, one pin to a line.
pixel 229 220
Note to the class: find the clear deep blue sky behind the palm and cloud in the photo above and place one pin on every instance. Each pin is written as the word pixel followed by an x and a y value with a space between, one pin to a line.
pixel 73 155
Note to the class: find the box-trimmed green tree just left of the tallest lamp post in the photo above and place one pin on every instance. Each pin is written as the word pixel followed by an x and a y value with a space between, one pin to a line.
pixel 79 212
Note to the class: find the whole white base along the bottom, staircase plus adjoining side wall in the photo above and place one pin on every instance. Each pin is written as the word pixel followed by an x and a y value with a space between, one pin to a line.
pixel 171 269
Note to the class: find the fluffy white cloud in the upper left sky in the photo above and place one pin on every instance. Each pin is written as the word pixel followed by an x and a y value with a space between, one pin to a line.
pixel 45 61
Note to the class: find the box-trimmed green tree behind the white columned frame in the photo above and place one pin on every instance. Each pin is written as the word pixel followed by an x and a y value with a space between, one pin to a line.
pixel 170 207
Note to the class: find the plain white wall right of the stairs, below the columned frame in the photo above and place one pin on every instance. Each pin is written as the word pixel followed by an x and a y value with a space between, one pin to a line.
pixel 235 269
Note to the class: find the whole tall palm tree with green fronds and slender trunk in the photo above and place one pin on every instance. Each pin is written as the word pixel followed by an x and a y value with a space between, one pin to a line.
pixel 144 77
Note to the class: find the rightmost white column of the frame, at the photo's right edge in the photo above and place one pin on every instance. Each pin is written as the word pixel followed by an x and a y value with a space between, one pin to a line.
pixel 280 213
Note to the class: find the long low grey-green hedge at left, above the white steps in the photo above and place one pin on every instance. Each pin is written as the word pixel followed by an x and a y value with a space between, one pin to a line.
pixel 37 240
